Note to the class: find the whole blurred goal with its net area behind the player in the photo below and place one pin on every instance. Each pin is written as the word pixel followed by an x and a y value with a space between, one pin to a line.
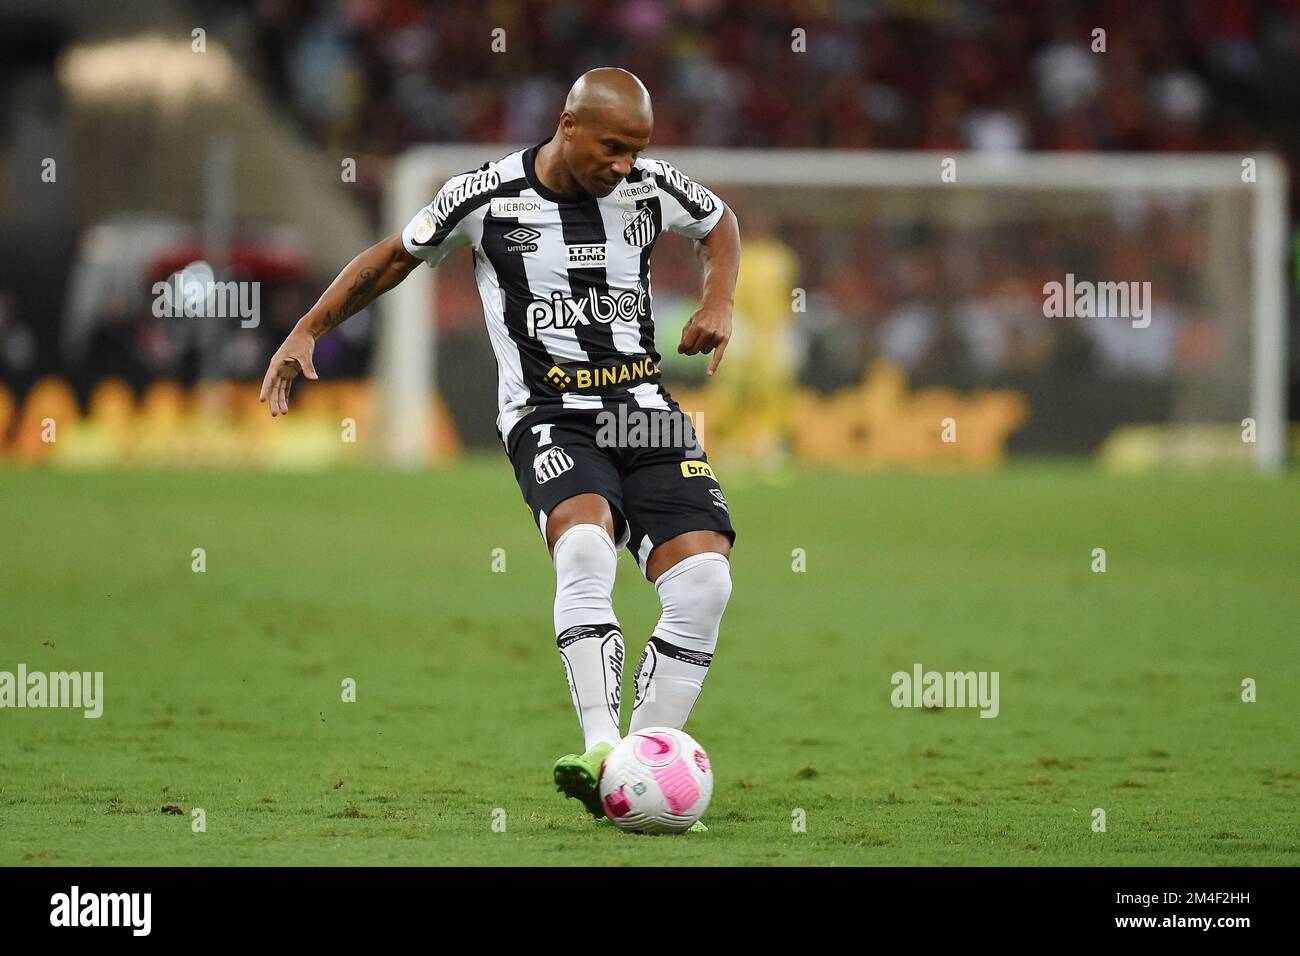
pixel 1130 306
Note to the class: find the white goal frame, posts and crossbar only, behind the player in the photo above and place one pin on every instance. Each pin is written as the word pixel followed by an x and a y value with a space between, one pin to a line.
pixel 405 353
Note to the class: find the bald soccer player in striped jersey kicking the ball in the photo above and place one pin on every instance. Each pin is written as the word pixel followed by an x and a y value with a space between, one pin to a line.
pixel 562 236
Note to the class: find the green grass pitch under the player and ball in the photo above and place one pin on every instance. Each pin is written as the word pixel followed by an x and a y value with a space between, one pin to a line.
pixel 1119 690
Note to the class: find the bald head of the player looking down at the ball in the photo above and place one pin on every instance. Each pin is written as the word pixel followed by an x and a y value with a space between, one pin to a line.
pixel 605 127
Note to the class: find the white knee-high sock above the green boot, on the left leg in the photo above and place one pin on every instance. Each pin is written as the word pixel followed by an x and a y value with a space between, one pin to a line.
pixel 587 631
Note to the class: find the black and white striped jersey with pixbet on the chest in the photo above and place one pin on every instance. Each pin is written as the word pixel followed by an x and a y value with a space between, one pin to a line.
pixel 565 283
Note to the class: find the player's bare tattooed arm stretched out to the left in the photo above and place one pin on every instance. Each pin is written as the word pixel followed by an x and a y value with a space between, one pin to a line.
pixel 363 280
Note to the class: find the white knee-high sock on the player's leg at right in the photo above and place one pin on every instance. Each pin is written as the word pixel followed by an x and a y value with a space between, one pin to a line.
pixel 671 673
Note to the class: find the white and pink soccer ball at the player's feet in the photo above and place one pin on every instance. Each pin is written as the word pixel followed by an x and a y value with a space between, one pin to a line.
pixel 657 781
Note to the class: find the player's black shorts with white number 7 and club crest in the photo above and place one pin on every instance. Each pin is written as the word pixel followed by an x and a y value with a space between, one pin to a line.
pixel 647 462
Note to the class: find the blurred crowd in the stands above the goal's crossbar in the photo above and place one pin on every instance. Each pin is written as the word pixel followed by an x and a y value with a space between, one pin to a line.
pixel 1000 75
